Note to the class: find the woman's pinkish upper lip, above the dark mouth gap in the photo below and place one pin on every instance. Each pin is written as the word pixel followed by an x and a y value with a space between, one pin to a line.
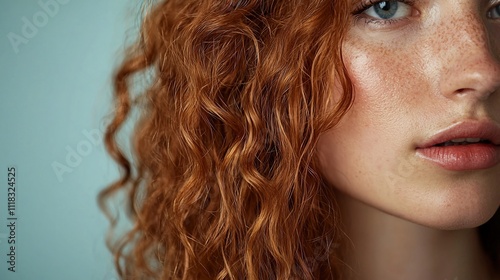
pixel 486 130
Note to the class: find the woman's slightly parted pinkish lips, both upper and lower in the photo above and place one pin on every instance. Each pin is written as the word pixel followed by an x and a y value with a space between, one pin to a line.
pixel 474 156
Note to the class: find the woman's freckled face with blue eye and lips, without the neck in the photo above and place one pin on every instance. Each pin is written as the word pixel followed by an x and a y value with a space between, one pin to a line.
pixel 425 72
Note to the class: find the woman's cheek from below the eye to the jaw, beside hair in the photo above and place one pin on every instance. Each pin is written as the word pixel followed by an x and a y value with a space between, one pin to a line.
pixel 373 140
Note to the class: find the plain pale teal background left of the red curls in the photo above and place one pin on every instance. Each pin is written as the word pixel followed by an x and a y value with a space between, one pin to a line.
pixel 54 96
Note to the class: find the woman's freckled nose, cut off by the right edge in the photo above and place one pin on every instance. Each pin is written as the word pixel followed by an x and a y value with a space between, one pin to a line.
pixel 471 58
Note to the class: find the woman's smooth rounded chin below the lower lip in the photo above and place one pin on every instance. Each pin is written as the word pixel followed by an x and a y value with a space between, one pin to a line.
pixel 453 202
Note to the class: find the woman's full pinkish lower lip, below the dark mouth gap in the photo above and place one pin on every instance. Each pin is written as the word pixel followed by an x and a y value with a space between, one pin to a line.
pixel 463 157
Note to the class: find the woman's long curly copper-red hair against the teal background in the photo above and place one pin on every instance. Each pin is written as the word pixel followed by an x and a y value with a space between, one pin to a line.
pixel 224 183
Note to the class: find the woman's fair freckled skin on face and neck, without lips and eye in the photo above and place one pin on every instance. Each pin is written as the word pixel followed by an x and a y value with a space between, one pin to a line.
pixel 435 64
